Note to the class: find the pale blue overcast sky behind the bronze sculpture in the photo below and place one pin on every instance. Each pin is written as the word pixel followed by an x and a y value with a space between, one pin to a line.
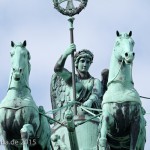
pixel 47 35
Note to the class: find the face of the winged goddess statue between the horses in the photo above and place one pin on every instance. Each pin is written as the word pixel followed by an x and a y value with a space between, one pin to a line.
pixel 84 64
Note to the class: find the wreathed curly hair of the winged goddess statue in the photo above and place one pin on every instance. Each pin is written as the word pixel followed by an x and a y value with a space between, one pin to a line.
pixel 83 53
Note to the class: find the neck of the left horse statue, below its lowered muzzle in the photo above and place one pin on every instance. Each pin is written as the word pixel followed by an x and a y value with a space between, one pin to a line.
pixel 19 88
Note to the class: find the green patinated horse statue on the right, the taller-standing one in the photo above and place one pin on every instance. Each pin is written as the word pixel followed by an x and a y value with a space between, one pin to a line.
pixel 122 124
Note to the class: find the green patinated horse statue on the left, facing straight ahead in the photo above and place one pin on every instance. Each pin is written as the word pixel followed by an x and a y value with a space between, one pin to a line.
pixel 20 120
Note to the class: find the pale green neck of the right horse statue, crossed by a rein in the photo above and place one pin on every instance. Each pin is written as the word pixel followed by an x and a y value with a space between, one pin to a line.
pixel 120 73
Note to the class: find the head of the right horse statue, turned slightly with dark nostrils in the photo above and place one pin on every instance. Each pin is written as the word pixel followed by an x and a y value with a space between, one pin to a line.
pixel 123 49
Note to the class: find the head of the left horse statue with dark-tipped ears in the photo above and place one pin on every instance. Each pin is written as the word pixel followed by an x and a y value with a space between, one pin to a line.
pixel 20 57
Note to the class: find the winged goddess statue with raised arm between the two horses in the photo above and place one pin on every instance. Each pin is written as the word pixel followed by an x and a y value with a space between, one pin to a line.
pixel 88 88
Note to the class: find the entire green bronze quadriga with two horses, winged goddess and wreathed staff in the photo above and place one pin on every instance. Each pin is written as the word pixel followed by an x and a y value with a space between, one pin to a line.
pixel 88 114
